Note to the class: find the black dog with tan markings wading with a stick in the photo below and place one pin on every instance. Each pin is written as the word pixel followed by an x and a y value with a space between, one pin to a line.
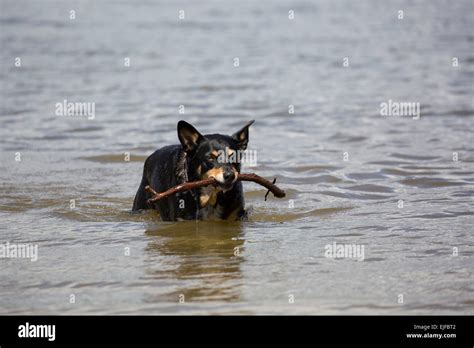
pixel 198 157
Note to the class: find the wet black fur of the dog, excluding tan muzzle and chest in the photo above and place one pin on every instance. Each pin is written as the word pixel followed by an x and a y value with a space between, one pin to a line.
pixel 175 164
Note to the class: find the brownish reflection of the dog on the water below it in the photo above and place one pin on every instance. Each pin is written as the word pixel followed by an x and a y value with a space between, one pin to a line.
pixel 204 256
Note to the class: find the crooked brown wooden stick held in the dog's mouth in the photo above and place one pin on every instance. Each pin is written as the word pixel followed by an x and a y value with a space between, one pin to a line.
pixel 277 192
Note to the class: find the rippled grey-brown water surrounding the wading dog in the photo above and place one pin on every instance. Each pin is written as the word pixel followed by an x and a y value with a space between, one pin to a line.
pixel 344 166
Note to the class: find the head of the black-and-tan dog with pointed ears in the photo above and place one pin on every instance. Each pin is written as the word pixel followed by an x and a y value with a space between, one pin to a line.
pixel 214 155
